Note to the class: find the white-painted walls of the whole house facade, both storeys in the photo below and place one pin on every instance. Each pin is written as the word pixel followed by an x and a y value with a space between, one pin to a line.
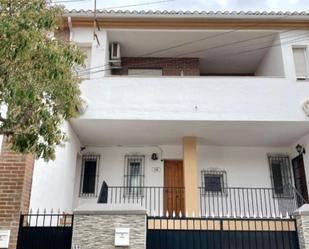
pixel 268 111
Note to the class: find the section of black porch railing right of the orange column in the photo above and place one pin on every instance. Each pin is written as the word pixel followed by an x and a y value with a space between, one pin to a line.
pixel 250 202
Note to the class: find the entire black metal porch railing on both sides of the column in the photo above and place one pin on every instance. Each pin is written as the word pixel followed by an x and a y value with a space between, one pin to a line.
pixel 230 202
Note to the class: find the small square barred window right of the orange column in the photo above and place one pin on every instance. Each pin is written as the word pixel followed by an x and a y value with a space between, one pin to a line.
pixel 213 181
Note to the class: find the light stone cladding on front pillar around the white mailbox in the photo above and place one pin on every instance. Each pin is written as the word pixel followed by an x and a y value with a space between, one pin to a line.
pixel 97 231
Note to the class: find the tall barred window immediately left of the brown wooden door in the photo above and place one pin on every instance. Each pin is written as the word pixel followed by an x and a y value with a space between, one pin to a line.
pixel 134 174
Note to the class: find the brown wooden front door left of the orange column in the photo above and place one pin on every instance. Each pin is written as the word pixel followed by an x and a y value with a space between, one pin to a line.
pixel 174 195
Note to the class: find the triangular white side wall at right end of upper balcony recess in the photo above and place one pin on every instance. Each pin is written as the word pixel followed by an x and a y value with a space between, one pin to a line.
pixel 272 62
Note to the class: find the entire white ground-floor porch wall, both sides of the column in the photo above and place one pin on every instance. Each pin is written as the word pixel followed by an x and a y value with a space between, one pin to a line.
pixel 245 166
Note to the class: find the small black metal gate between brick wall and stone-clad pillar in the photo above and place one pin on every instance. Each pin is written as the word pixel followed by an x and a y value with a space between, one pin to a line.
pixel 45 231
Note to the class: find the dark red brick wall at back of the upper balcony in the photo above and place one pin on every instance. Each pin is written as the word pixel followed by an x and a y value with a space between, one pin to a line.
pixel 169 66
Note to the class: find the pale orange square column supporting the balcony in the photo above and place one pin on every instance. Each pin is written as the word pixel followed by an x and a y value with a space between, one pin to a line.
pixel 190 175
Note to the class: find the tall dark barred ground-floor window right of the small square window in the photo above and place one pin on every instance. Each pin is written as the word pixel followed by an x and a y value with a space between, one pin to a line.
pixel 280 175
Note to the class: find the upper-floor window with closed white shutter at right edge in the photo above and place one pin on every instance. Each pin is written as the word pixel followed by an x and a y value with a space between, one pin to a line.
pixel 300 62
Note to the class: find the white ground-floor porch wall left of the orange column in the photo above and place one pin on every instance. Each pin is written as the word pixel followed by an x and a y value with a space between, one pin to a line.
pixel 111 169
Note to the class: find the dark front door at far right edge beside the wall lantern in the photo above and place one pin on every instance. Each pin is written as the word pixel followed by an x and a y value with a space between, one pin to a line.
pixel 300 176
